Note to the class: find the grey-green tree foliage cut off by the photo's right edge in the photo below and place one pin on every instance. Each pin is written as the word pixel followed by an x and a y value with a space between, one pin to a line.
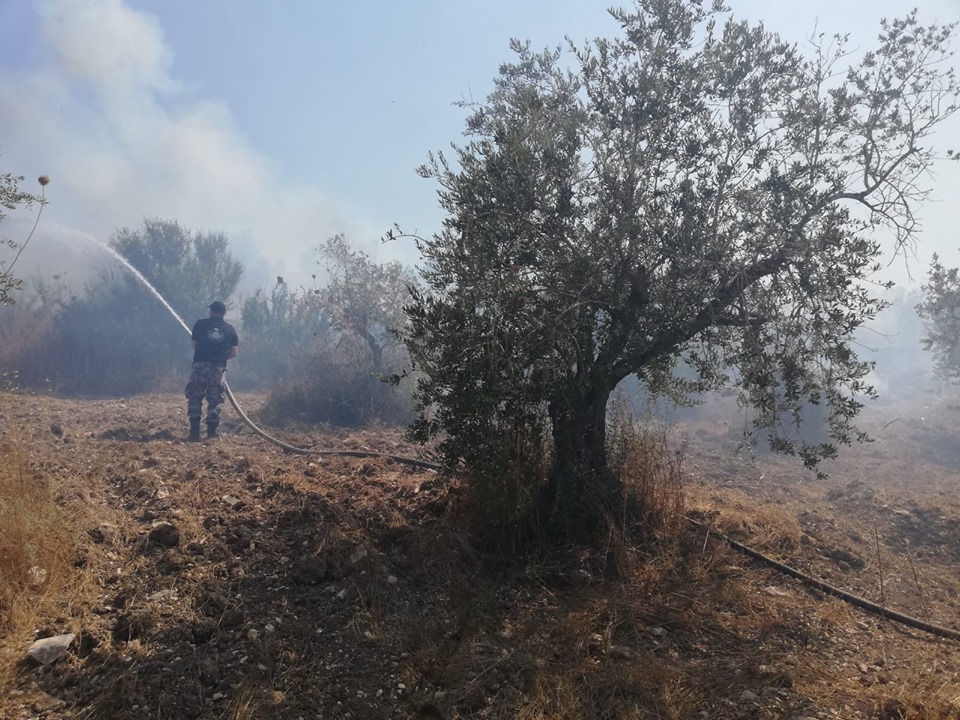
pixel 940 310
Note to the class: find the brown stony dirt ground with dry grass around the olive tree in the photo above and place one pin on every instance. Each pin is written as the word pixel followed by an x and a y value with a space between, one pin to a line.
pixel 229 579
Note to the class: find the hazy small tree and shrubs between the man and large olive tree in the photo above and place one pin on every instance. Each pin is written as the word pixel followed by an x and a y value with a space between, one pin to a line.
pixel 333 344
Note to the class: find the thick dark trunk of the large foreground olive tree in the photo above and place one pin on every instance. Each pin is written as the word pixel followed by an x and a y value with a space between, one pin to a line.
pixel 581 489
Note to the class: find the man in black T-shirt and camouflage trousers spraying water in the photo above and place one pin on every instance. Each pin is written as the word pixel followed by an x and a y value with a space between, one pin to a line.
pixel 214 342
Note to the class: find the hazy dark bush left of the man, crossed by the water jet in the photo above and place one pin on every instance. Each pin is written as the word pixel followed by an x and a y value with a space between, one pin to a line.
pixel 116 338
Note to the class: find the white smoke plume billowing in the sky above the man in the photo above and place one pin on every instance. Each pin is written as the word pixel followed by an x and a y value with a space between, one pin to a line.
pixel 122 139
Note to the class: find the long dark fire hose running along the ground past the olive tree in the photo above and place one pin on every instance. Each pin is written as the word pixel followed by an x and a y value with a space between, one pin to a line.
pixel 807 580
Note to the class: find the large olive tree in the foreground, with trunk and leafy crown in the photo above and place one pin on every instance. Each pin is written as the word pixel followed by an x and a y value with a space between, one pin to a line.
pixel 696 190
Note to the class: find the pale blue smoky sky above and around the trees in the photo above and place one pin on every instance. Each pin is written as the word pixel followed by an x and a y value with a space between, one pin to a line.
pixel 283 123
